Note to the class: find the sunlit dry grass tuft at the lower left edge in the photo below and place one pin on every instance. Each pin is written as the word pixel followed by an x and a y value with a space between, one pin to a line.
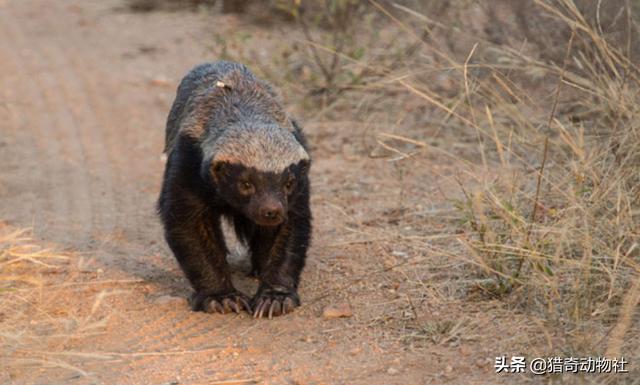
pixel 38 313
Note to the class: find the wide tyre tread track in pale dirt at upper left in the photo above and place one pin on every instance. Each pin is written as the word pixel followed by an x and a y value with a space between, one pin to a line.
pixel 74 116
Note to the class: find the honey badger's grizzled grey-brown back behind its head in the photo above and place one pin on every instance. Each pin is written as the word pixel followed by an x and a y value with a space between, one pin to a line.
pixel 215 95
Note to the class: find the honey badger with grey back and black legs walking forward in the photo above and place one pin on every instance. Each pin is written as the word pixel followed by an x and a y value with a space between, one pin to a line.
pixel 233 153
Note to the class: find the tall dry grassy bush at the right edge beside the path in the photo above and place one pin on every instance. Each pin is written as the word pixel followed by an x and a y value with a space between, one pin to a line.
pixel 552 217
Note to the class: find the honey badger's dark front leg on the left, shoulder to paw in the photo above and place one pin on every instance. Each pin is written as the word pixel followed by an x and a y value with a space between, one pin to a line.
pixel 192 230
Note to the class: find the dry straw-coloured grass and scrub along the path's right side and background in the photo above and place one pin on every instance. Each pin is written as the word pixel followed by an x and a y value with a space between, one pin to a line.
pixel 544 125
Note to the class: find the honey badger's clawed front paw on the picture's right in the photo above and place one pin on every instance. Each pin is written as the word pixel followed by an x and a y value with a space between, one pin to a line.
pixel 272 301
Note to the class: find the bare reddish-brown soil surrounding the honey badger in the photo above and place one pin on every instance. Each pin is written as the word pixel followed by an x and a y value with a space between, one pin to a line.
pixel 86 87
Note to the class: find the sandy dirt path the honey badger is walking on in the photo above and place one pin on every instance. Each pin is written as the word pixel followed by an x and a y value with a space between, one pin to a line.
pixel 85 91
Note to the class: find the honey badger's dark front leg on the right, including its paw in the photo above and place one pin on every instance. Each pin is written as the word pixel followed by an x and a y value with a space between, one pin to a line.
pixel 280 254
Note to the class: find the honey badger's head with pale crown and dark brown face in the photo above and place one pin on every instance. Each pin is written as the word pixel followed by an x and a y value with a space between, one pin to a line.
pixel 259 171
